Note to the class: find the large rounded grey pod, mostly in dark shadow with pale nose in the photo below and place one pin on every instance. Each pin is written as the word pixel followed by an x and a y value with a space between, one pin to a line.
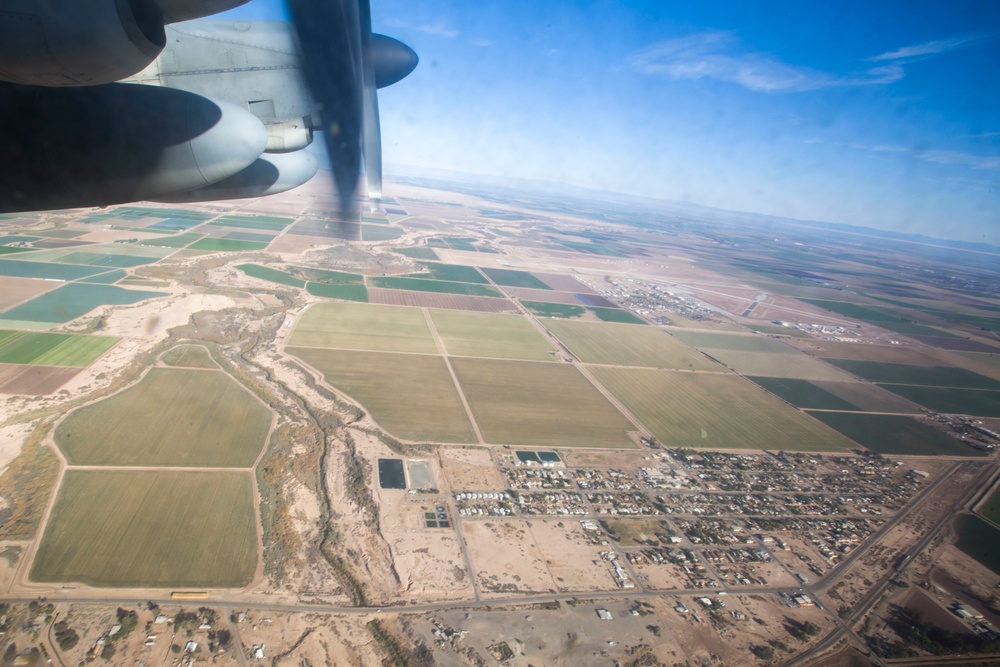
pixel 117 143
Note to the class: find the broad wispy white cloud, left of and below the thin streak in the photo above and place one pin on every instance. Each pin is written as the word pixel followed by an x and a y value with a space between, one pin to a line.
pixel 717 55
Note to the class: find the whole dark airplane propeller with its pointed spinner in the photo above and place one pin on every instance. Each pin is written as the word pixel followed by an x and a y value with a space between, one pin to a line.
pixel 344 64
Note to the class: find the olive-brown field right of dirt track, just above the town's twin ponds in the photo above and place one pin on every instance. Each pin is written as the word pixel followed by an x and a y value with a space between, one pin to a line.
pixel 539 404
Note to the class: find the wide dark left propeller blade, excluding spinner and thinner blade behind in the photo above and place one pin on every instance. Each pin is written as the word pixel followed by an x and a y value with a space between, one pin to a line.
pixel 330 39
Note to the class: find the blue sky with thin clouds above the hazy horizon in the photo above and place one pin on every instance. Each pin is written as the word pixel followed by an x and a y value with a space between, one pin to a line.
pixel 878 114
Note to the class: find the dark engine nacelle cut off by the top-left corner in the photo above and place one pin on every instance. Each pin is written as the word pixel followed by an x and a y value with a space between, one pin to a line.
pixel 87 42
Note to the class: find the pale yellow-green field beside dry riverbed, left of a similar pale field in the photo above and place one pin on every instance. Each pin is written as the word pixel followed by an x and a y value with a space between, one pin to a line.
pixel 354 326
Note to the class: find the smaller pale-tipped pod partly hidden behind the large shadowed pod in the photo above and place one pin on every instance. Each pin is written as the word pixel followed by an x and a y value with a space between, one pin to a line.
pixel 268 175
